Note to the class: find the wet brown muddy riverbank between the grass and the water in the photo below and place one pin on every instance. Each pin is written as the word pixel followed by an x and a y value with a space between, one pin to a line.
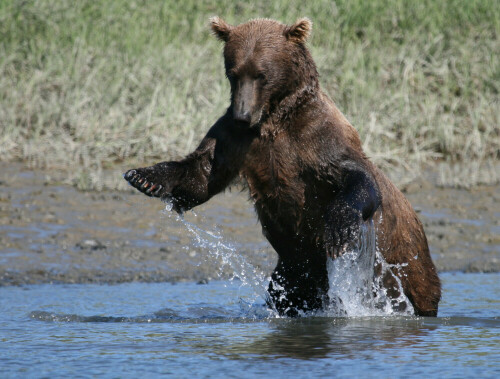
pixel 51 232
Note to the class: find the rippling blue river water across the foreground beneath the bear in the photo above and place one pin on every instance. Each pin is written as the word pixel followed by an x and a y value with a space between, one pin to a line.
pixel 223 329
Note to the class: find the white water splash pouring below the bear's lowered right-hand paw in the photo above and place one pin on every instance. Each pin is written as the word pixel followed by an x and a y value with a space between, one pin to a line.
pixel 355 290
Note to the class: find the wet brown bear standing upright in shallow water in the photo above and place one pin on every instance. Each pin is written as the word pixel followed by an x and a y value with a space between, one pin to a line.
pixel 302 161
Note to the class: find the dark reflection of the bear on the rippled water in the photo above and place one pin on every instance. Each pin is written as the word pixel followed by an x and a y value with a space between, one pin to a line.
pixel 316 338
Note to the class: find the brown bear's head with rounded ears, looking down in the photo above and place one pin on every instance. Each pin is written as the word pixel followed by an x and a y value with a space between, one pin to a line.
pixel 266 62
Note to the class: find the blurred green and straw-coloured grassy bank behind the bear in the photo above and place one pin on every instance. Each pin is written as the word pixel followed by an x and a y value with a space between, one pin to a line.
pixel 89 85
